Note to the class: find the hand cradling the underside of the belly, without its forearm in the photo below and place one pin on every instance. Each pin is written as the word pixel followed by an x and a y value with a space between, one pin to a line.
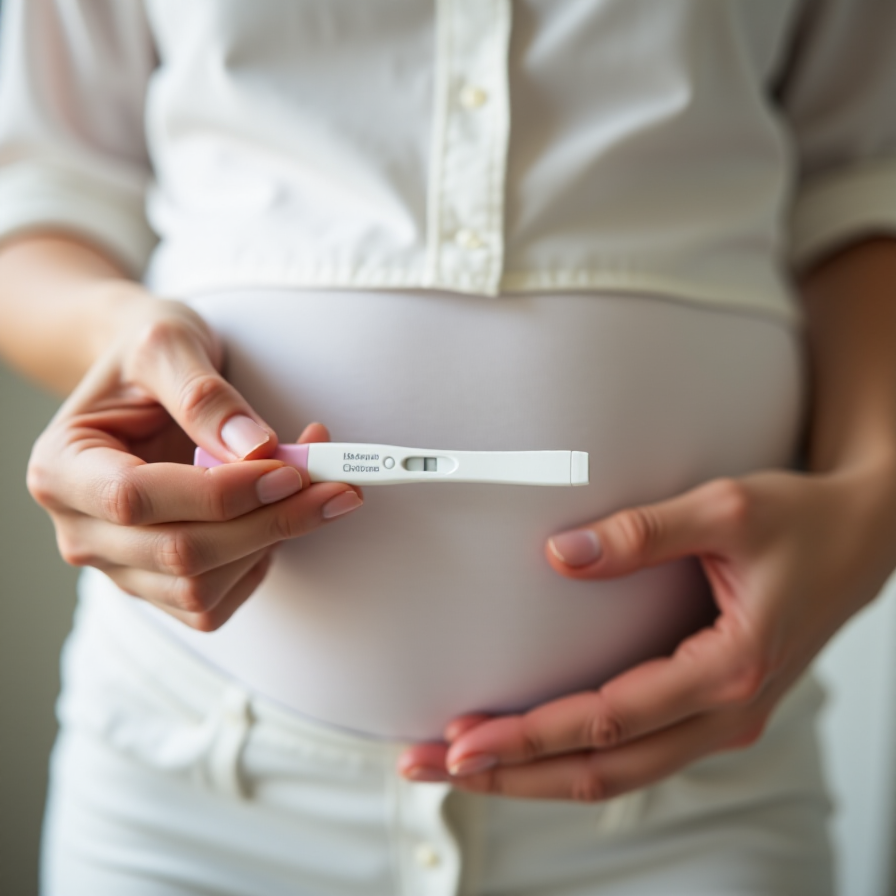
pixel 790 557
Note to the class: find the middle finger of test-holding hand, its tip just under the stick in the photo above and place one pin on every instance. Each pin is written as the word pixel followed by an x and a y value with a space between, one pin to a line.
pixel 193 548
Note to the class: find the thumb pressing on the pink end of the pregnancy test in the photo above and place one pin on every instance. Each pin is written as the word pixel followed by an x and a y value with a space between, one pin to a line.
pixel 173 362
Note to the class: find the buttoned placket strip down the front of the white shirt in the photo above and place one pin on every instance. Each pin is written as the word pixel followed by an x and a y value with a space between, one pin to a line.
pixel 468 161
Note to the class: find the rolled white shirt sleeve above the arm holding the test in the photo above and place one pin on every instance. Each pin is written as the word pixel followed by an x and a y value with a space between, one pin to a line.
pixel 73 156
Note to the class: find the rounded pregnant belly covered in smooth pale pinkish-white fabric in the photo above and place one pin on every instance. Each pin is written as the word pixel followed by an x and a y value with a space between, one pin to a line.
pixel 433 600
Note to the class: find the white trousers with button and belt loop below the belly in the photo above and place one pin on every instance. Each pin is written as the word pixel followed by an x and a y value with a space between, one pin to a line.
pixel 169 778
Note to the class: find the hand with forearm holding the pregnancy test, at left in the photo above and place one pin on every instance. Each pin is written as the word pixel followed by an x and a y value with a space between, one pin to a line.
pixel 113 468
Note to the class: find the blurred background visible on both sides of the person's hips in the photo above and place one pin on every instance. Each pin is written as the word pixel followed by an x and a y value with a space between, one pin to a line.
pixel 37 598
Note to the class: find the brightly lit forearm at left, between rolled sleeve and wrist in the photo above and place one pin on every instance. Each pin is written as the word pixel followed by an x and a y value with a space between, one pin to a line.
pixel 60 302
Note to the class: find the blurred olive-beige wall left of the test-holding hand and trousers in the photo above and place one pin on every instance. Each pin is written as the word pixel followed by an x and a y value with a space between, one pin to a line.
pixel 36 603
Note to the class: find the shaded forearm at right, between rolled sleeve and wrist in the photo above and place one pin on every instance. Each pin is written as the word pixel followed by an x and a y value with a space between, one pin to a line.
pixel 850 304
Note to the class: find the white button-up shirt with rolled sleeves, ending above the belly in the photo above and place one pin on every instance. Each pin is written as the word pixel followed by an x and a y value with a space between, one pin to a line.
pixel 698 149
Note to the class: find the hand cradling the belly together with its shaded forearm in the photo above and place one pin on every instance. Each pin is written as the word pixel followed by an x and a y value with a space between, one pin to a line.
pixel 790 556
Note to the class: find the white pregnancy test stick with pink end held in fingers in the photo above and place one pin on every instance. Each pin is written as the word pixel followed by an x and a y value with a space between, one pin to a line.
pixel 363 464
